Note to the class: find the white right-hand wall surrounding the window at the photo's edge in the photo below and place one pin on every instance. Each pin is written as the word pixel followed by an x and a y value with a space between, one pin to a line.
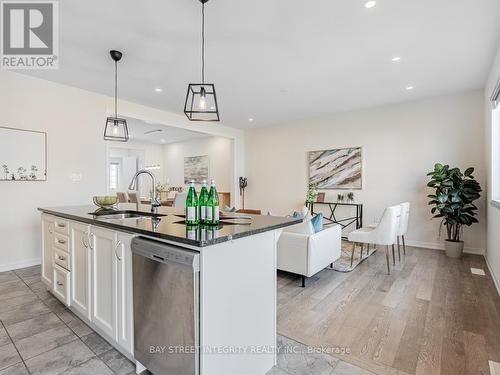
pixel 493 212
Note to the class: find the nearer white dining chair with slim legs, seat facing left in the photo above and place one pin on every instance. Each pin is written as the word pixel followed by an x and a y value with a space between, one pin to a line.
pixel 384 234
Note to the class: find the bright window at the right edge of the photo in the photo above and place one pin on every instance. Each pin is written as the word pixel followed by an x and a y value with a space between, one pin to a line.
pixel 495 146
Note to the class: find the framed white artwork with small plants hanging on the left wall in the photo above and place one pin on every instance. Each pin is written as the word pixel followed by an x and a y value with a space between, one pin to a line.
pixel 23 155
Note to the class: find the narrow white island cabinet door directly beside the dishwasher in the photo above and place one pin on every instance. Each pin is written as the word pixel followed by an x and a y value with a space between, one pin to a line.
pixel 125 293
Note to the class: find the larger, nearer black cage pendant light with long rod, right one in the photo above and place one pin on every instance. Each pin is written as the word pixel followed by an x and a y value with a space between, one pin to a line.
pixel 201 100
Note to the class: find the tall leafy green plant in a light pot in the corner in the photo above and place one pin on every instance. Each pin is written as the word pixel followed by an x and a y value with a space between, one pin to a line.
pixel 452 201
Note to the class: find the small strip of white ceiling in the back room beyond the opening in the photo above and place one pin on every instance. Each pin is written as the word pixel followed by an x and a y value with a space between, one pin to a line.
pixel 162 134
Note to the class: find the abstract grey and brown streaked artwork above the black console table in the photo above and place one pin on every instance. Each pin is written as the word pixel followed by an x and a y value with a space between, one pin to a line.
pixel 336 168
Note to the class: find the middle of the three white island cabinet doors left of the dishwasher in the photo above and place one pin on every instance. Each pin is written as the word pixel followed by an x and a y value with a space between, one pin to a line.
pixel 104 282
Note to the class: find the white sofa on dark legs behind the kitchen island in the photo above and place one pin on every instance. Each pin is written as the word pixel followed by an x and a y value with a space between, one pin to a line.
pixel 305 253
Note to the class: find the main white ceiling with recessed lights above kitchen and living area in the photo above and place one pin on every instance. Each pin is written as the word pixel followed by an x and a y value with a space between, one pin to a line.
pixel 277 60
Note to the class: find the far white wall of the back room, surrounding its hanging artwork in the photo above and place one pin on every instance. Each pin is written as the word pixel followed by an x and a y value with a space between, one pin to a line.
pixel 220 154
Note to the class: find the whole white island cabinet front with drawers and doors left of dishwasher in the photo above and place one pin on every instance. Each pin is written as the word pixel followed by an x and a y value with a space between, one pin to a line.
pixel 94 278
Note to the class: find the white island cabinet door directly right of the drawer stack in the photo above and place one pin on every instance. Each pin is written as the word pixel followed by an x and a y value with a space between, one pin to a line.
pixel 80 255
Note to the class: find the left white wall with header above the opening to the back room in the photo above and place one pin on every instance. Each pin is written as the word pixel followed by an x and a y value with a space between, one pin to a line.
pixel 74 120
